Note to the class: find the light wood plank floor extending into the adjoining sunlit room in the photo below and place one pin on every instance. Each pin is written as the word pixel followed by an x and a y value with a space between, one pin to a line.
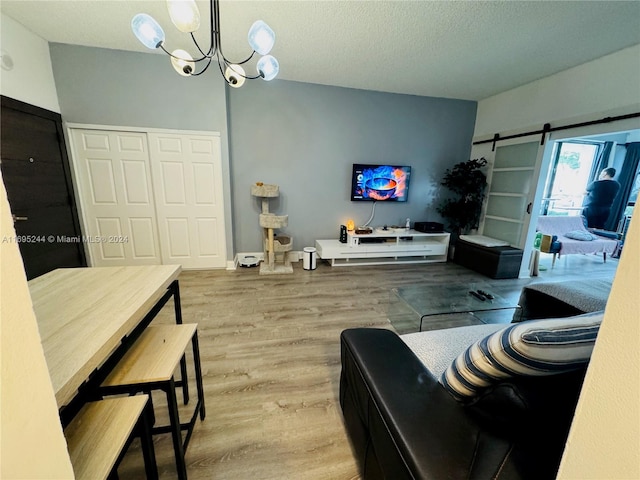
pixel 271 362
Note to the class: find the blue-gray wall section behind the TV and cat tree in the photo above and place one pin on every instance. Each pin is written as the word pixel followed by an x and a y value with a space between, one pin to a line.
pixel 305 138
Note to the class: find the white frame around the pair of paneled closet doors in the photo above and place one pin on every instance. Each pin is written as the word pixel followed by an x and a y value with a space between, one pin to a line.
pixel 68 126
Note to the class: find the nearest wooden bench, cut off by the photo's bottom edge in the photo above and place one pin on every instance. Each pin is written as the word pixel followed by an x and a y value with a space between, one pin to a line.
pixel 99 435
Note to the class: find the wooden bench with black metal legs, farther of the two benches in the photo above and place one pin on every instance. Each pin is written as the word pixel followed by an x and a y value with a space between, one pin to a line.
pixel 149 365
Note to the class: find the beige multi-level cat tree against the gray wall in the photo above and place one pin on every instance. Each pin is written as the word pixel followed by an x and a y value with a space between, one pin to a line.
pixel 272 243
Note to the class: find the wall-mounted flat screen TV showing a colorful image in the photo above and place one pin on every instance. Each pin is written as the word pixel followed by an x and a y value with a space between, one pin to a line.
pixel 380 183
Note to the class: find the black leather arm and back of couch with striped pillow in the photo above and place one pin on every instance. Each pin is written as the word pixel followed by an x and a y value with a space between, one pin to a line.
pixel 404 425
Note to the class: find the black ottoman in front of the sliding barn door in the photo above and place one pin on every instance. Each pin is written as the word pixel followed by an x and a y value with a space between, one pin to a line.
pixel 494 262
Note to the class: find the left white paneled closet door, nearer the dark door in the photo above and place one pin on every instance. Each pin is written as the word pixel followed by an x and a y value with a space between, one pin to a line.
pixel 114 183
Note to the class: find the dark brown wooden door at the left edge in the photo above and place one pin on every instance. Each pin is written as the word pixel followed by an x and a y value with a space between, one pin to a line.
pixel 36 174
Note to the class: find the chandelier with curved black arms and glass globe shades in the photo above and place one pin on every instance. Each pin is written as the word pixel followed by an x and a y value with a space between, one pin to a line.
pixel 186 17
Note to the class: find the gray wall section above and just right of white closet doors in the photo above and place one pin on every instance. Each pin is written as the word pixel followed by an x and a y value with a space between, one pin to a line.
pixel 113 87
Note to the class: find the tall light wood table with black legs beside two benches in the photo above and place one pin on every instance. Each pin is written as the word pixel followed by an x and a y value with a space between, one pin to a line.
pixel 86 316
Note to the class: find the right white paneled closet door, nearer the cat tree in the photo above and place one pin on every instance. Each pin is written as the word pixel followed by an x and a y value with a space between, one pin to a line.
pixel 187 184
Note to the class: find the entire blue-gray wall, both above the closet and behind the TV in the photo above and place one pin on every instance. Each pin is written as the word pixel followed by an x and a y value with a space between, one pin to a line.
pixel 303 137
